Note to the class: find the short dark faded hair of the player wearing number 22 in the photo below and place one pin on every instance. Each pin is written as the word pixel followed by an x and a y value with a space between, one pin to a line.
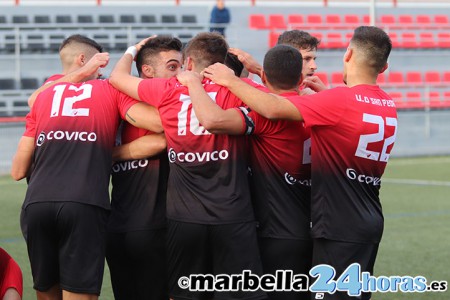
pixel 374 44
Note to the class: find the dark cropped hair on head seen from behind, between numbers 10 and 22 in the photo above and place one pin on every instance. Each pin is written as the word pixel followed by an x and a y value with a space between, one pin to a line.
pixel 283 67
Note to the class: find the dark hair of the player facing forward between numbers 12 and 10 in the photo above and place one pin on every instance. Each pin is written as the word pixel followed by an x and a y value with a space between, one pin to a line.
pixel 148 52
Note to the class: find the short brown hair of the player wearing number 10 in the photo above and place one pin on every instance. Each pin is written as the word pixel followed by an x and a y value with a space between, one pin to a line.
pixel 207 48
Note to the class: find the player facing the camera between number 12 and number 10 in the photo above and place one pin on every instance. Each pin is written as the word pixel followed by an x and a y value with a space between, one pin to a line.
pixel 136 244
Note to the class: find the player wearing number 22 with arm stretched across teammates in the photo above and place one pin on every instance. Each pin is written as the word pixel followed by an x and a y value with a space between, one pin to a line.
pixel 353 130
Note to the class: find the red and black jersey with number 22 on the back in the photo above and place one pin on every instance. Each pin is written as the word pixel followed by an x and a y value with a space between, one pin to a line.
pixel 353 131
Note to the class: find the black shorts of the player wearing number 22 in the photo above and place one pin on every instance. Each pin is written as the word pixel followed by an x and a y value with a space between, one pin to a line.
pixel 340 255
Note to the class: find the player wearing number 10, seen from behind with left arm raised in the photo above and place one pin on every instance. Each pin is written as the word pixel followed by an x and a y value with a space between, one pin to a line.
pixel 211 227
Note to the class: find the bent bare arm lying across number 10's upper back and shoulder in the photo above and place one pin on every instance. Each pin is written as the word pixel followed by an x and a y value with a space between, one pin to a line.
pixel 210 115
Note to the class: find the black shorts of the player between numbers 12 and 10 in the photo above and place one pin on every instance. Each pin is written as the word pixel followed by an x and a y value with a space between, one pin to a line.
pixel 137 264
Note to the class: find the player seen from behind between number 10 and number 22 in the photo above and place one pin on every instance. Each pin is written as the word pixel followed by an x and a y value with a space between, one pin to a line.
pixel 280 164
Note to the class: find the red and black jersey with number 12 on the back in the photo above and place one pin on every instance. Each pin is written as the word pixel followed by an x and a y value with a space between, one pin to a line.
pixel 74 126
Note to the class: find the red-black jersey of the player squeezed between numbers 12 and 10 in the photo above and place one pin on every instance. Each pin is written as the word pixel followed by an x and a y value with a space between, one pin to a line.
pixel 138 197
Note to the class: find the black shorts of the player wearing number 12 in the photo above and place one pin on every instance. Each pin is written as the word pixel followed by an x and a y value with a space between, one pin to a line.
pixel 66 245
